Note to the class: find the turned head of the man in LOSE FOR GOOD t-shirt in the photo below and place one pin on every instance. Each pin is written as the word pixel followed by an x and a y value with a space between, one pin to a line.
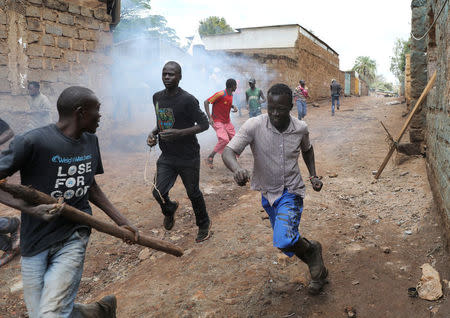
pixel 80 105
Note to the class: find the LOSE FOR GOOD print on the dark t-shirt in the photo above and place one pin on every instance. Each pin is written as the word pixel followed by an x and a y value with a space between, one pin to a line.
pixel 70 177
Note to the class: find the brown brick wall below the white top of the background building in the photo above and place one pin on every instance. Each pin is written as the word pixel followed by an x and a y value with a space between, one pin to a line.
pixel 307 61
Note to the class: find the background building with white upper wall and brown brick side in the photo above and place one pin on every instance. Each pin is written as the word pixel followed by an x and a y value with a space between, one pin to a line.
pixel 308 59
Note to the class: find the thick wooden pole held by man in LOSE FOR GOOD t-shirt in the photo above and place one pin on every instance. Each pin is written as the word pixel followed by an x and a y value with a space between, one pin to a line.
pixel 35 197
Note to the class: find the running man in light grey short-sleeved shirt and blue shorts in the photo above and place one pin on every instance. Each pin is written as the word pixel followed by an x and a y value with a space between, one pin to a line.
pixel 276 139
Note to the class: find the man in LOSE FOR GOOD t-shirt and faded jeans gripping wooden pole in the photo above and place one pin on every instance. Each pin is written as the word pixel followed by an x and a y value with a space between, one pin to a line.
pixel 61 160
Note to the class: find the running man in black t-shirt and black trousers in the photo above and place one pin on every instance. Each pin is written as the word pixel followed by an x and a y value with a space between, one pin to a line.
pixel 179 119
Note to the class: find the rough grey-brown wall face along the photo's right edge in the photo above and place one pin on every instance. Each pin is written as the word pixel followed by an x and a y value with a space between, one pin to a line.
pixel 438 110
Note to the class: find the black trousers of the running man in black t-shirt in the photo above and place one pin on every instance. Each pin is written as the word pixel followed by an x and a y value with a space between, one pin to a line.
pixel 167 172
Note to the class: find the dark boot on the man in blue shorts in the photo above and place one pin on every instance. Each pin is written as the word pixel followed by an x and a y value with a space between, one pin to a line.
pixel 310 252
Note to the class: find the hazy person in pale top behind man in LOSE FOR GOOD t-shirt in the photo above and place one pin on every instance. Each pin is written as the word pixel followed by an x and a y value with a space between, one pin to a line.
pixel 40 107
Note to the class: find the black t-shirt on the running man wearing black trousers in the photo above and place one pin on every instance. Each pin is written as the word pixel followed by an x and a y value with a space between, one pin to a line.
pixel 178 112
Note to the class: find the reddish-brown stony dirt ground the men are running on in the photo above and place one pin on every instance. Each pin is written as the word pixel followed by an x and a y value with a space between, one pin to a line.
pixel 375 235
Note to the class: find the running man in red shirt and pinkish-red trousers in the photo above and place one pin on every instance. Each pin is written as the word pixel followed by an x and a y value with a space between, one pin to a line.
pixel 219 119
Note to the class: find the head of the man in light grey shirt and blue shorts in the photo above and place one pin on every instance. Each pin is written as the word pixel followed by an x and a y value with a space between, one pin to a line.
pixel 279 105
